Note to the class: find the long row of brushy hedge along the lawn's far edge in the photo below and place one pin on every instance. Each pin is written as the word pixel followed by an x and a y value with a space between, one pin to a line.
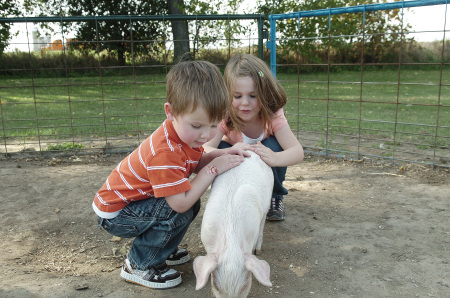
pixel 75 63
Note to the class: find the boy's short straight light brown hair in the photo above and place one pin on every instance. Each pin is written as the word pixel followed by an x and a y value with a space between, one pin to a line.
pixel 191 83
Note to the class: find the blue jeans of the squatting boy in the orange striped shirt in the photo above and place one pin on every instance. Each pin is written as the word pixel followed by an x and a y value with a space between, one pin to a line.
pixel 157 228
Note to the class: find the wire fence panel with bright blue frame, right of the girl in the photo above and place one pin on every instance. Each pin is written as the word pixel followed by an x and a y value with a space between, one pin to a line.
pixel 398 111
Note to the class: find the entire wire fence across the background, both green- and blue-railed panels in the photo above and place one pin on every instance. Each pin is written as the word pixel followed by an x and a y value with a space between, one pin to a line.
pixel 335 110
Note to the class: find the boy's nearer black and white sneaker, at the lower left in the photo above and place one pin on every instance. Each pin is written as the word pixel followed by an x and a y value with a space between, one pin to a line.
pixel 157 277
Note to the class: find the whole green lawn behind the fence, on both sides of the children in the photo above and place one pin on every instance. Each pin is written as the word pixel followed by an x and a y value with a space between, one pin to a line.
pixel 127 105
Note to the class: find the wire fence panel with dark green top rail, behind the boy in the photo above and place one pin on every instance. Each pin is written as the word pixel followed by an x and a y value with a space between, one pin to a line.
pixel 65 99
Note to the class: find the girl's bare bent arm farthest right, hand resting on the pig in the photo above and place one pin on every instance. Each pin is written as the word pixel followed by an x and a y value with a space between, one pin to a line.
pixel 292 154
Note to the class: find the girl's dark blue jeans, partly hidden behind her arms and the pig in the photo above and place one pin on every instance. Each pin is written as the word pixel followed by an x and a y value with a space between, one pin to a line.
pixel 279 173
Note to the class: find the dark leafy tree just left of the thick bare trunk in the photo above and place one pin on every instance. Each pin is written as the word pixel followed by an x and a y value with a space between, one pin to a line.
pixel 114 36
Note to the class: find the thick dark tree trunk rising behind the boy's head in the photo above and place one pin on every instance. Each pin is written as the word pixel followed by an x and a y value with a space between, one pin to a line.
pixel 180 31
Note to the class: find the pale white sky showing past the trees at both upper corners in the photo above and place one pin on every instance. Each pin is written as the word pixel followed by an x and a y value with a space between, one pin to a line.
pixel 428 20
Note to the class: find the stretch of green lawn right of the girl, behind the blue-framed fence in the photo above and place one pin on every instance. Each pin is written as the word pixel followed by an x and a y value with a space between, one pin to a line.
pixel 377 108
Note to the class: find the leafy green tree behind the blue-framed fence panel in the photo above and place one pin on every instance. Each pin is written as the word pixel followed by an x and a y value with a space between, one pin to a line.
pixel 309 36
